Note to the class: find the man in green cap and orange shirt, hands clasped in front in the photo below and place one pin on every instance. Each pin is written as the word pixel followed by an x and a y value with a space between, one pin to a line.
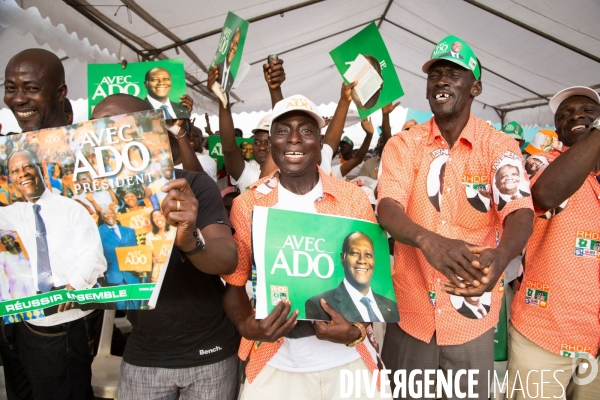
pixel 445 249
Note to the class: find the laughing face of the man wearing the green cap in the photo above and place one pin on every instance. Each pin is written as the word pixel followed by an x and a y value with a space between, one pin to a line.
pixel 451 89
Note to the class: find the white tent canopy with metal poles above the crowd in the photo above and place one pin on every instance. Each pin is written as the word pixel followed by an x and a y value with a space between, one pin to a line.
pixel 529 49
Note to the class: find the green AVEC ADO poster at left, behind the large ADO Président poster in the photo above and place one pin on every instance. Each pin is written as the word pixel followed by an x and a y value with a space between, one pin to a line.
pixel 160 83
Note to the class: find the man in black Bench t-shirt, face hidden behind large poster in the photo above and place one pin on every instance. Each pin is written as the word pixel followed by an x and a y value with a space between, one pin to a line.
pixel 186 346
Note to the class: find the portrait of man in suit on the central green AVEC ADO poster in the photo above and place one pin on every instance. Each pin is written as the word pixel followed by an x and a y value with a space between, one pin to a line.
pixel 353 297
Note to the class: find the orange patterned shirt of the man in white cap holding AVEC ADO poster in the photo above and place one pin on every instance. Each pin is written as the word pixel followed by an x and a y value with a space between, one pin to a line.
pixel 339 198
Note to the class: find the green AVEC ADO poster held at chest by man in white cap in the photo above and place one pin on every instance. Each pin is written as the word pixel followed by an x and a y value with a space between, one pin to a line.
pixel 303 257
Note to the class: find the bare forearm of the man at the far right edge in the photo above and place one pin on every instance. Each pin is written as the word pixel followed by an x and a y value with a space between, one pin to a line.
pixel 565 175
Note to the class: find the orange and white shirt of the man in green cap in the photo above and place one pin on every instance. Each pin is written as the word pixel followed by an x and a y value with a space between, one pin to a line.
pixel 464 193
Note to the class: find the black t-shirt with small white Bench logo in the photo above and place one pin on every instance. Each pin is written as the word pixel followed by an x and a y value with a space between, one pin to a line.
pixel 189 326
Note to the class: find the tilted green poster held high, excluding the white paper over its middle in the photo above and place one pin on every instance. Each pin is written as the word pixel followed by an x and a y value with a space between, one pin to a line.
pixel 369 43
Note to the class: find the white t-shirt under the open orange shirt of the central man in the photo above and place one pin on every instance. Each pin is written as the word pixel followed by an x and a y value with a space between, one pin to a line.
pixel 309 354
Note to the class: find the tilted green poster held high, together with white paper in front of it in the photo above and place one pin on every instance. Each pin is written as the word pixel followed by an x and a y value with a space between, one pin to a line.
pixel 365 58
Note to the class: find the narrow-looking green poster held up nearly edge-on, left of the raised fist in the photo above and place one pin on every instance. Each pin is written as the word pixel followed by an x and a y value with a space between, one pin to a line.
pixel 229 53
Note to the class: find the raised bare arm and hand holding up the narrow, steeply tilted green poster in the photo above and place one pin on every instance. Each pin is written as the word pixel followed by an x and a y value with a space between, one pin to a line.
pixel 232 154
